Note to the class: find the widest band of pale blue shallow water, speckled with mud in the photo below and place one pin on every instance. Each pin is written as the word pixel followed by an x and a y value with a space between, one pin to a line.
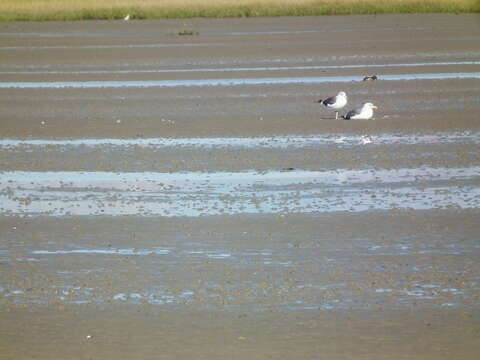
pixel 201 194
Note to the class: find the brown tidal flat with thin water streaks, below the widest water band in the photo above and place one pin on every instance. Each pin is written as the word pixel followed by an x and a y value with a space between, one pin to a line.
pixel 267 285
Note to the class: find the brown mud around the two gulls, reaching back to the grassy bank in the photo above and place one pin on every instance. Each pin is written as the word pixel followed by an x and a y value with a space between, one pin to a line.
pixel 236 44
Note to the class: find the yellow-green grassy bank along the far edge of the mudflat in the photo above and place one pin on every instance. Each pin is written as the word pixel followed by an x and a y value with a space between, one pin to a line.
pixel 11 10
